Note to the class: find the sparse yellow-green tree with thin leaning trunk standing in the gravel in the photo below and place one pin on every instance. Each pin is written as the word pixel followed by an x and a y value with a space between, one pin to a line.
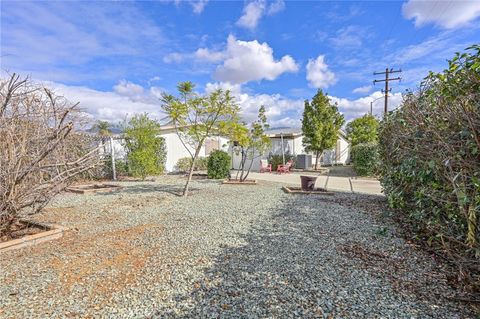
pixel 197 117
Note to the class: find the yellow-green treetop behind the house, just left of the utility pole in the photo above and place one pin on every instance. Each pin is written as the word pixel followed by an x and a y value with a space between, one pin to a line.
pixel 363 130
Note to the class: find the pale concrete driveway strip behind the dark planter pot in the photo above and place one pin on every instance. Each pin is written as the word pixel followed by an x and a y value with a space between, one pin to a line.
pixel 333 183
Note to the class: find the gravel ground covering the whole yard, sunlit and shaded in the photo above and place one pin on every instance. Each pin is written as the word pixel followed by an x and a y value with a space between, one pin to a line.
pixel 226 251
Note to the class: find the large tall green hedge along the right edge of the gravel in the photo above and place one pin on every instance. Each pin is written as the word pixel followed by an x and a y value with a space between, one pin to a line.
pixel 430 162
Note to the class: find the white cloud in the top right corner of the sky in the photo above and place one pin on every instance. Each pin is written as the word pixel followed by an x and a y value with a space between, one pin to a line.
pixel 446 14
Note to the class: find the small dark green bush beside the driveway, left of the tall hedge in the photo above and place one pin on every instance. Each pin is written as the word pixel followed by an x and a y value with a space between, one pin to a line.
pixel 365 158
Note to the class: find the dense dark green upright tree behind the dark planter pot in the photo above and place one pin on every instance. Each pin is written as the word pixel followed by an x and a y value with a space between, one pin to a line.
pixel 320 125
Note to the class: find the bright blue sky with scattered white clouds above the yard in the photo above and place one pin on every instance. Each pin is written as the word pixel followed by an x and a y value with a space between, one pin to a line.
pixel 116 58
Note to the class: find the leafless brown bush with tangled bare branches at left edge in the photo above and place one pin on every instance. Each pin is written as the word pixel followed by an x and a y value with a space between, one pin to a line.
pixel 40 152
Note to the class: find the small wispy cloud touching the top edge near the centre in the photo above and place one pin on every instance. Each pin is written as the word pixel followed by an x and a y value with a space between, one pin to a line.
pixel 255 10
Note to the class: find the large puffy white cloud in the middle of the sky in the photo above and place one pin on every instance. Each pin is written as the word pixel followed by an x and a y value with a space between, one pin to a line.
pixel 251 61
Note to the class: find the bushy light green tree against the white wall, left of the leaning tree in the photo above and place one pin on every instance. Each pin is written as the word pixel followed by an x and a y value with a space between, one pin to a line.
pixel 146 150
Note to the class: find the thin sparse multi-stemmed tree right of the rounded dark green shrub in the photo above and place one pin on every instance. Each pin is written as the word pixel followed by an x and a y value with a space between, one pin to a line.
pixel 252 143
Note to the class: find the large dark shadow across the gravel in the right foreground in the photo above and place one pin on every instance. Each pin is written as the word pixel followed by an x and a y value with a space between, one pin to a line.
pixel 303 263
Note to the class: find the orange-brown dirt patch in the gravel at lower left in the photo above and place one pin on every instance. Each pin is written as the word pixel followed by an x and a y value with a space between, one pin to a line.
pixel 108 262
